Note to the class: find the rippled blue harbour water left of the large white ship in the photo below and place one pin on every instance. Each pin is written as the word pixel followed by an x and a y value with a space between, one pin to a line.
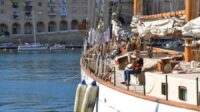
pixel 39 81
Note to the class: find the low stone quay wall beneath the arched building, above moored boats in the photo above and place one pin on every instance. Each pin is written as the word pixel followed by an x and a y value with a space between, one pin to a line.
pixel 65 37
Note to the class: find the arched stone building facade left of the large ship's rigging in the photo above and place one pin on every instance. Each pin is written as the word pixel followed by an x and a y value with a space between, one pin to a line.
pixel 21 17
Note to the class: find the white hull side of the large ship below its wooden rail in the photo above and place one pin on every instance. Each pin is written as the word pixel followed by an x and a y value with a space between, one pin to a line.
pixel 114 100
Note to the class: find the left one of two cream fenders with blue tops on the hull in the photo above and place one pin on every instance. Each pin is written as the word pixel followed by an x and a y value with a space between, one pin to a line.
pixel 80 93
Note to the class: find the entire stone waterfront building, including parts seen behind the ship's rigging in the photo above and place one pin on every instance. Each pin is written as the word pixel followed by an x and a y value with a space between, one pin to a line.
pixel 20 17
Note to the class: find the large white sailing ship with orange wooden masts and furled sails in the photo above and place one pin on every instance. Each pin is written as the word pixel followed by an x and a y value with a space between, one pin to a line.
pixel 172 83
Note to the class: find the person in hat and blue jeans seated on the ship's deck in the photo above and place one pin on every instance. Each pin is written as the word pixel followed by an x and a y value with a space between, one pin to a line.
pixel 134 68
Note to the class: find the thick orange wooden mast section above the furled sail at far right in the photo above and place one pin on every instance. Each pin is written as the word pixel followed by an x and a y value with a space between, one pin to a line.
pixel 191 9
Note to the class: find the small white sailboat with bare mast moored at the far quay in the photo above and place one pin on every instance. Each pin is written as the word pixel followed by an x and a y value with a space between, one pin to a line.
pixel 33 46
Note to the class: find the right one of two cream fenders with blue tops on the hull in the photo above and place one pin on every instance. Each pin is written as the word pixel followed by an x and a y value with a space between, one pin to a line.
pixel 90 98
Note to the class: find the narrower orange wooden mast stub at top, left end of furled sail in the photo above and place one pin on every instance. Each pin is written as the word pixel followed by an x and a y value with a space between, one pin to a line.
pixel 138 7
